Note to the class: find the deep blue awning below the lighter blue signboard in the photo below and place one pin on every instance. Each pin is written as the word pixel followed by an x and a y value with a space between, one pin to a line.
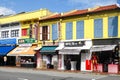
pixel 5 49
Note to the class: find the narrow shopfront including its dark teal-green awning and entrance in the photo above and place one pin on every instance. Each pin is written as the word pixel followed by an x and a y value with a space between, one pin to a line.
pixel 49 57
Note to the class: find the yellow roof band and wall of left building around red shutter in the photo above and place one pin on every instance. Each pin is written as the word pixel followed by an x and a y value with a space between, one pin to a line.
pixel 23 17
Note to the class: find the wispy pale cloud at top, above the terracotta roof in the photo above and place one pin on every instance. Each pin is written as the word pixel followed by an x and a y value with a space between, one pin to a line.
pixel 82 4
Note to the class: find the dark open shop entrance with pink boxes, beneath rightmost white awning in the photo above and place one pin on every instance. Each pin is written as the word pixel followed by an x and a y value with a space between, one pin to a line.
pixel 106 59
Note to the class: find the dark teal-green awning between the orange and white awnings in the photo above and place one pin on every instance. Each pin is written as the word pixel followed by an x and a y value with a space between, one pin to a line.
pixel 48 49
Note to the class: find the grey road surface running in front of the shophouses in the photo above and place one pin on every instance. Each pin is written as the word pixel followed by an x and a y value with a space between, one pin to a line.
pixel 7 73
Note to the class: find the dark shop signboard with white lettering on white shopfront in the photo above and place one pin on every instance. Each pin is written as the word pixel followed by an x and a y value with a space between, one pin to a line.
pixel 74 43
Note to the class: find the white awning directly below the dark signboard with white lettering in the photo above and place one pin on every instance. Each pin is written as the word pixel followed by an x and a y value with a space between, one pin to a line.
pixel 70 50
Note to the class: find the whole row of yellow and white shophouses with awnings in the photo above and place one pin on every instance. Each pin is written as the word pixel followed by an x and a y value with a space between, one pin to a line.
pixel 64 41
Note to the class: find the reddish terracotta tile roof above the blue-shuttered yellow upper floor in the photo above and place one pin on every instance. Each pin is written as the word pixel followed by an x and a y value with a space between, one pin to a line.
pixel 79 12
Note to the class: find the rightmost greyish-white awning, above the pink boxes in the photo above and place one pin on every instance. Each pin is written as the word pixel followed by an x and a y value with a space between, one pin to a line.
pixel 97 48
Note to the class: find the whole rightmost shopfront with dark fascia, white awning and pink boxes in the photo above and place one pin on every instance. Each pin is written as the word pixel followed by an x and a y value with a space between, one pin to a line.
pixel 108 55
